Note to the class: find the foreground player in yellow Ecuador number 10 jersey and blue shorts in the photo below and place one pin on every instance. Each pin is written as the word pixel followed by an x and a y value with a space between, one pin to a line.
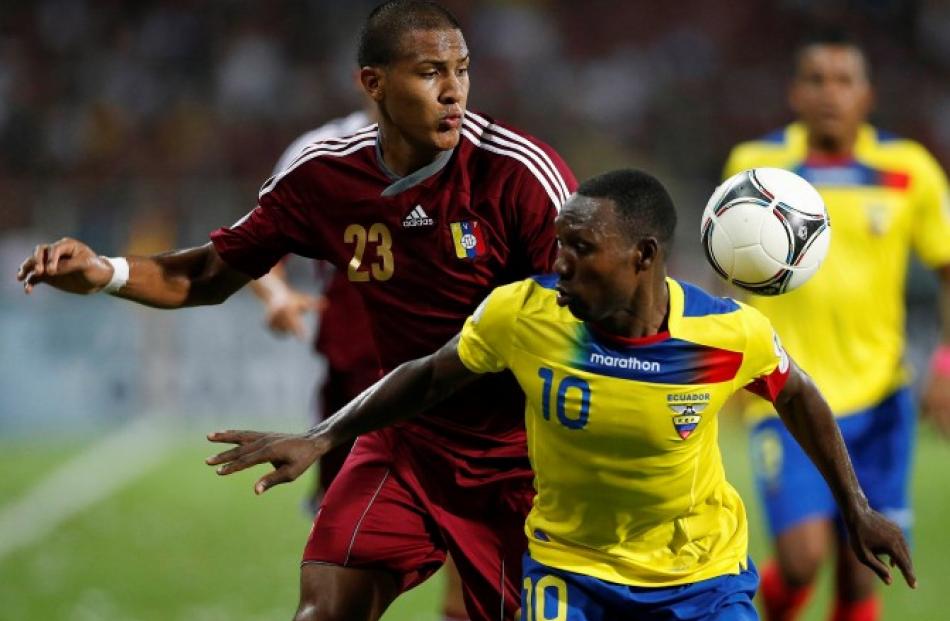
pixel 624 371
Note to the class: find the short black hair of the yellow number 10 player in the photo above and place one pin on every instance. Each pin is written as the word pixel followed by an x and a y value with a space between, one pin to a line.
pixel 642 204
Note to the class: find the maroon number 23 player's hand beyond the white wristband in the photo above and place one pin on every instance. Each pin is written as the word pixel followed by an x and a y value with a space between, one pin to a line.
pixel 68 264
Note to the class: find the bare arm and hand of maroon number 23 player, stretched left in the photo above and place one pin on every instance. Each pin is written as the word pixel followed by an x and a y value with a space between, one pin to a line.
pixel 191 277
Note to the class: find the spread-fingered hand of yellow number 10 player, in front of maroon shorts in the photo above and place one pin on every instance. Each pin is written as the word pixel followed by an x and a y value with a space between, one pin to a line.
pixel 290 454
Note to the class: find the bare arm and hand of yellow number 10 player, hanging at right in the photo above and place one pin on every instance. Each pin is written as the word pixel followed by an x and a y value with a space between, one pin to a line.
pixel 809 418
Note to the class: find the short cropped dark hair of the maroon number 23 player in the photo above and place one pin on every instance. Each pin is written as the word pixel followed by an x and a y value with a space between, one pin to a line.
pixel 384 28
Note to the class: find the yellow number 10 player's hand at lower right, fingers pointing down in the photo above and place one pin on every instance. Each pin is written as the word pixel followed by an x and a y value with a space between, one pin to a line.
pixel 872 536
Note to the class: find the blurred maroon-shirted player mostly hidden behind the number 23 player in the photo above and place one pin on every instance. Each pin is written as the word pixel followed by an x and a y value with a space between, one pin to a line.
pixel 344 338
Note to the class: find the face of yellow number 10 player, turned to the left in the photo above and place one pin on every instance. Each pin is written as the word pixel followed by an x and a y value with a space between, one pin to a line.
pixel 595 262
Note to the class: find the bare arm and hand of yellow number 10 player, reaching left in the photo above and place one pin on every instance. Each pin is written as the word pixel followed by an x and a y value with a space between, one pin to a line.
pixel 409 389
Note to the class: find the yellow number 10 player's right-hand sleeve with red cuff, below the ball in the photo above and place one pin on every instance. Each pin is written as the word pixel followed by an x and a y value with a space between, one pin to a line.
pixel 765 366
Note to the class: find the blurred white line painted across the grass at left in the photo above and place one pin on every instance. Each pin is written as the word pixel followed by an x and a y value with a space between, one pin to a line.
pixel 95 474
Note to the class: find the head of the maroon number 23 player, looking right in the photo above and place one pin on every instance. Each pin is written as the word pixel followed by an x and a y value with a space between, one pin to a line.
pixel 414 64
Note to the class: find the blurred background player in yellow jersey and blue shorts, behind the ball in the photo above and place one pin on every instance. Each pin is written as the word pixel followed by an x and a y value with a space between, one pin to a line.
pixel 885 196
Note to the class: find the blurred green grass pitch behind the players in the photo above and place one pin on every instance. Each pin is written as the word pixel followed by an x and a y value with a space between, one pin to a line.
pixel 177 543
